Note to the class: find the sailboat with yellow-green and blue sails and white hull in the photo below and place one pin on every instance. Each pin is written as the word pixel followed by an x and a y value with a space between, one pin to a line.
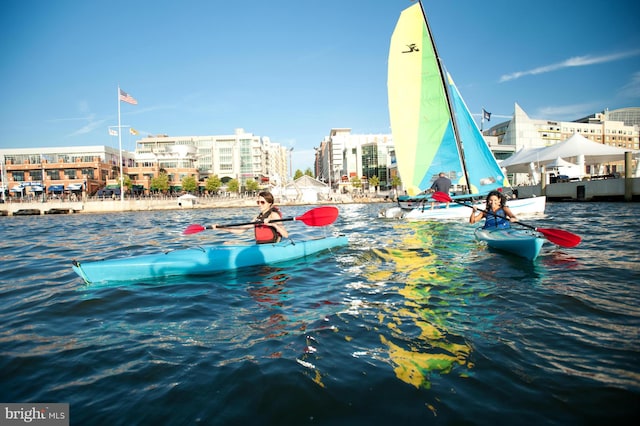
pixel 433 130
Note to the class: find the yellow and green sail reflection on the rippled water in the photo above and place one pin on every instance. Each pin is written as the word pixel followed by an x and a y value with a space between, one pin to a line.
pixel 415 333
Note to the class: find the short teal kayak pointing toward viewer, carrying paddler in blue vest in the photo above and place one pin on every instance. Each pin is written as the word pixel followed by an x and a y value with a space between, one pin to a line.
pixel 521 242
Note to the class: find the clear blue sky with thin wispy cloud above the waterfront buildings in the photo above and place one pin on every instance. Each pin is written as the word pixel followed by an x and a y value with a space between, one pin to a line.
pixel 293 70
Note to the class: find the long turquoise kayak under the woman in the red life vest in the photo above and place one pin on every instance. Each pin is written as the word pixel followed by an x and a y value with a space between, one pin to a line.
pixel 201 260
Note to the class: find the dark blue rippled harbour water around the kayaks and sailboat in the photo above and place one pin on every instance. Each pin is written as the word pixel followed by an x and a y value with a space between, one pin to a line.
pixel 413 323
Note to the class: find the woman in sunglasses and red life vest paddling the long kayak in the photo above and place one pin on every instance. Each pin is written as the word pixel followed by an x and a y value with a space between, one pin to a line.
pixel 265 230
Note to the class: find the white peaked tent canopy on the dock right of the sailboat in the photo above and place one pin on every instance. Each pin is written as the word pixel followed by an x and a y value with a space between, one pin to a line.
pixel 577 149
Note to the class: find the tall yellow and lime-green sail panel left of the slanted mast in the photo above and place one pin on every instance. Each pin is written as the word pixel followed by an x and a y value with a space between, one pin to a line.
pixel 418 108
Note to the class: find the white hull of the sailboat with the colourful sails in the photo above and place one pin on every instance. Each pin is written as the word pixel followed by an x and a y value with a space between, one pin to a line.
pixel 440 211
